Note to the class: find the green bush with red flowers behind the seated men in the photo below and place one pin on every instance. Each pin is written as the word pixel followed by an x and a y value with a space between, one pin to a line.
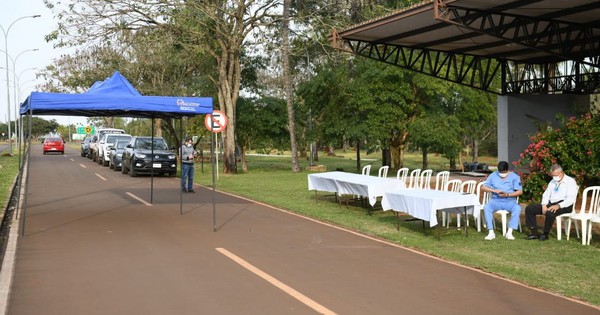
pixel 575 146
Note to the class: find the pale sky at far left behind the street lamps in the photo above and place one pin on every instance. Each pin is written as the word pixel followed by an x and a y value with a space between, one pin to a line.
pixel 24 35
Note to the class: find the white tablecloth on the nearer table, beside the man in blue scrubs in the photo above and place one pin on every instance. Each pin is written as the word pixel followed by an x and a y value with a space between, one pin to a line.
pixel 424 204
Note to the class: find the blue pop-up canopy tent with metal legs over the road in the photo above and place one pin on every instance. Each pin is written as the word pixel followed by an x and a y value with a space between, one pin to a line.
pixel 114 96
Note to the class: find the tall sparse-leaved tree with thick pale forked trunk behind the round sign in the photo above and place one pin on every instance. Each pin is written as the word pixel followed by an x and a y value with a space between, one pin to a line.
pixel 213 27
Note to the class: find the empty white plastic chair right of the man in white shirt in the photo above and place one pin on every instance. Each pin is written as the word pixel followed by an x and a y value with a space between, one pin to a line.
pixel 588 211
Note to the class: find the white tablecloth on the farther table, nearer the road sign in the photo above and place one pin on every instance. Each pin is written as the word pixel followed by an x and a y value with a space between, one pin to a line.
pixel 344 183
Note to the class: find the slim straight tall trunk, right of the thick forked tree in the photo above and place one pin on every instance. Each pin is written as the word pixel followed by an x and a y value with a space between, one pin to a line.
pixel 287 81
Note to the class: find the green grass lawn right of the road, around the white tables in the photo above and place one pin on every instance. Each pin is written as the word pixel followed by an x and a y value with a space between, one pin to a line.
pixel 564 267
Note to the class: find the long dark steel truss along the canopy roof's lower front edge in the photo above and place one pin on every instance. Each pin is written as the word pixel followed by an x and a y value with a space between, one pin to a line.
pixel 498 76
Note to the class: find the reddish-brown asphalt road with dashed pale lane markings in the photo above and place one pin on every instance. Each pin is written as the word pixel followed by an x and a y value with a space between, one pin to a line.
pixel 92 245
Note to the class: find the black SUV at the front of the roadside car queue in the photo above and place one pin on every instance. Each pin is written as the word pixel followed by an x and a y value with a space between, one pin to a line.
pixel 139 158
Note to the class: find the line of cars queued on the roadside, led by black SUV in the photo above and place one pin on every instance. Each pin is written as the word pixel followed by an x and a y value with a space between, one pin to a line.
pixel 129 154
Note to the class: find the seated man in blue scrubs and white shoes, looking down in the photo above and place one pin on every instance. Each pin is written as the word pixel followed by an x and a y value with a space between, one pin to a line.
pixel 505 187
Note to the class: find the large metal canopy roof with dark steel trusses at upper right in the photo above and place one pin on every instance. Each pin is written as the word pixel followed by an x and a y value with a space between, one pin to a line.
pixel 491 38
